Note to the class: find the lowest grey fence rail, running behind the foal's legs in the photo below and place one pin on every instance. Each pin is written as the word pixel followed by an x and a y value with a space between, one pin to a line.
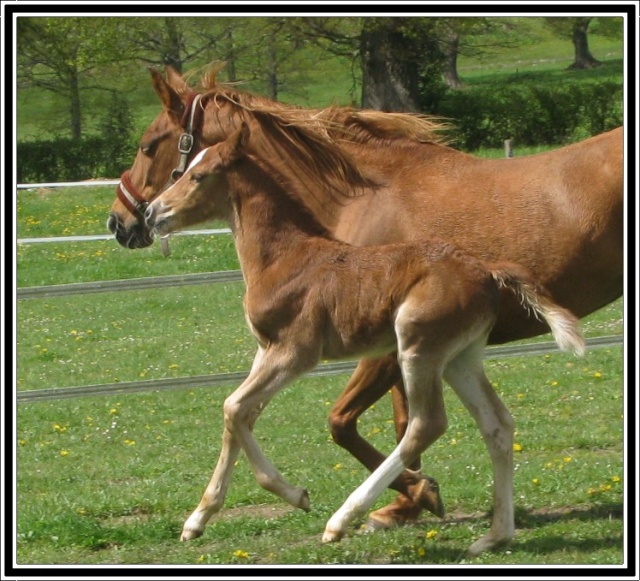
pixel 497 352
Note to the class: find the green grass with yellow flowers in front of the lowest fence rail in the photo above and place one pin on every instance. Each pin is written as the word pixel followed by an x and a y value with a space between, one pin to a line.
pixel 157 451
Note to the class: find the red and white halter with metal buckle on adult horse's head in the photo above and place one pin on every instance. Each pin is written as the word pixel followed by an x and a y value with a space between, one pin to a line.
pixel 192 117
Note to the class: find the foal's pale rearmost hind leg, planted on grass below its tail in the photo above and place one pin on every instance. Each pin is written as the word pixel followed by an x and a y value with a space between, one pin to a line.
pixel 466 376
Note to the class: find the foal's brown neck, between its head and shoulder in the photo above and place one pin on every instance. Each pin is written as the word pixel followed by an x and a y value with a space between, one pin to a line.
pixel 268 223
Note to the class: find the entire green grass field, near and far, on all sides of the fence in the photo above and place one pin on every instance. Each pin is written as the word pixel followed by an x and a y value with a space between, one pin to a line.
pixel 109 480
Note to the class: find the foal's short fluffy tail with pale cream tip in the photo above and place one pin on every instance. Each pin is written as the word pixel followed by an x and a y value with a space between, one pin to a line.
pixel 535 298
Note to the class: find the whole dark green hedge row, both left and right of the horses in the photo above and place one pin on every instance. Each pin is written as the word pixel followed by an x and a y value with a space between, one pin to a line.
pixel 529 115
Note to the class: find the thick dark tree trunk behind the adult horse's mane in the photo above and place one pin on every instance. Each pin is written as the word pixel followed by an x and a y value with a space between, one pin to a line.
pixel 387 83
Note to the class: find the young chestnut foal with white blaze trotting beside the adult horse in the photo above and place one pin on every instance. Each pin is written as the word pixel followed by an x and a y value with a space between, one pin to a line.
pixel 311 297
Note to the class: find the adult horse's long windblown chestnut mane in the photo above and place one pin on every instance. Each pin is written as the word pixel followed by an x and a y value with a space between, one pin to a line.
pixel 308 142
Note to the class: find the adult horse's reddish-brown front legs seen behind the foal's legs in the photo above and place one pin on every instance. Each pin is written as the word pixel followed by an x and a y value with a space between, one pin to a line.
pixel 370 381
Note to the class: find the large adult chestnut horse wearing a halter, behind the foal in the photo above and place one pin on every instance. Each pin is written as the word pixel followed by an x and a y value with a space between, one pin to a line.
pixel 558 213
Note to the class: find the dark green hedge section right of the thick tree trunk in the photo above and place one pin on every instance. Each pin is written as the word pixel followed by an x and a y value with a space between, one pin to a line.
pixel 532 115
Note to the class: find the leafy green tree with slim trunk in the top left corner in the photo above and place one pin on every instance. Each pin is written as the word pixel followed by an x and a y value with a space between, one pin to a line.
pixel 59 55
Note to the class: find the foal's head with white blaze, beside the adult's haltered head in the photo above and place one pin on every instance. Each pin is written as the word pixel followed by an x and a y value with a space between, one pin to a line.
pixel 203 191
